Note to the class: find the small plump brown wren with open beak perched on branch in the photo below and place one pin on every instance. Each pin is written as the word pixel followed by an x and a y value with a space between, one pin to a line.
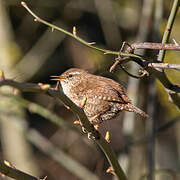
pixel 104 98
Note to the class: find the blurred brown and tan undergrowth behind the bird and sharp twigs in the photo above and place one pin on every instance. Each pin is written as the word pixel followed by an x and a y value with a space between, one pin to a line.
pixel 31 52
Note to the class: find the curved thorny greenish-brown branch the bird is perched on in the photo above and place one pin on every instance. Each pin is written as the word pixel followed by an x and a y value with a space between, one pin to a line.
pixel 45 89
